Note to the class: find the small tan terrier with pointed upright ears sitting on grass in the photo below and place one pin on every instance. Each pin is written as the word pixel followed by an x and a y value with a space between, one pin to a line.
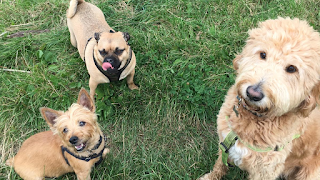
pixel 75 143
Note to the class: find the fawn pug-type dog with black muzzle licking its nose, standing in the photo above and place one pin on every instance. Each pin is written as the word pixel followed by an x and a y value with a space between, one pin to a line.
pixel 107 54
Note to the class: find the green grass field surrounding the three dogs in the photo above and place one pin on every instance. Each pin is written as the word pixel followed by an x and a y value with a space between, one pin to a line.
pixel 184 49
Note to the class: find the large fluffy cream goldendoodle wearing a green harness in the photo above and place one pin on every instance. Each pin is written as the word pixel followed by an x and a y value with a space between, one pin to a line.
pixel 269 123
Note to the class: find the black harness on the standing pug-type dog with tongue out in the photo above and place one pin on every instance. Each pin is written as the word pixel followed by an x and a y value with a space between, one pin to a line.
pixel 113 75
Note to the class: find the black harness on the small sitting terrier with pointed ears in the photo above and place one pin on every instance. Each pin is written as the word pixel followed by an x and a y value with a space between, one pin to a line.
pixel 88 158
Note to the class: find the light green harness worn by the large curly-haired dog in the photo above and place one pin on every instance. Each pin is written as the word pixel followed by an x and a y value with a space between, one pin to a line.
pixel 231 139
